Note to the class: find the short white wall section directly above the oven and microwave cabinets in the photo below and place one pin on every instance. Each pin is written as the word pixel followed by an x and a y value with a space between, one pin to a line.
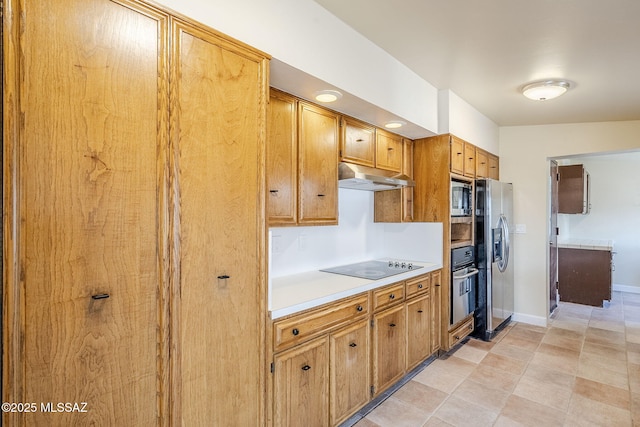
pixel 458 117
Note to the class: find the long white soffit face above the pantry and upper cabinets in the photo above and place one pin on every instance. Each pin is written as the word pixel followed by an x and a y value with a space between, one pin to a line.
pixel 306 36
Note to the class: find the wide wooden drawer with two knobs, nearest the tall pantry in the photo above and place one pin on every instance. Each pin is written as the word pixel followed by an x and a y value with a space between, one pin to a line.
pixel 298 328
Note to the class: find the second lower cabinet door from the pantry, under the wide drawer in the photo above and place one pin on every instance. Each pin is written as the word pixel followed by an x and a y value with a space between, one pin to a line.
pixel 349 370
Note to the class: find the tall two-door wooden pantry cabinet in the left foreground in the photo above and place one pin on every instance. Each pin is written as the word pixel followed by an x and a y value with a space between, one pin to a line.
pixel 134 226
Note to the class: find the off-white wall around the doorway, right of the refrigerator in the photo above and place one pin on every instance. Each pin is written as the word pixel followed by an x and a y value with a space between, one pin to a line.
pixel 524 154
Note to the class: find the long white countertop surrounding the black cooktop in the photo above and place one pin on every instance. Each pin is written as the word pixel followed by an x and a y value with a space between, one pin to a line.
pixel 297 292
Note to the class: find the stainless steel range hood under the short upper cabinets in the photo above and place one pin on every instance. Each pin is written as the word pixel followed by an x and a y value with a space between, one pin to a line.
pixel 359 177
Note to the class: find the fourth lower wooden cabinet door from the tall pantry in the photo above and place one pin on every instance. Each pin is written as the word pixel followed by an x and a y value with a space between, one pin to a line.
pixel 418 330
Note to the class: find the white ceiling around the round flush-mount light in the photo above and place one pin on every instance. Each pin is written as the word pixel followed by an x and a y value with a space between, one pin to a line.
pixel 486 50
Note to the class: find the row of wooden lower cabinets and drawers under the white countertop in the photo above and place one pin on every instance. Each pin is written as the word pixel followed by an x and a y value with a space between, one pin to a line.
pixel 348 356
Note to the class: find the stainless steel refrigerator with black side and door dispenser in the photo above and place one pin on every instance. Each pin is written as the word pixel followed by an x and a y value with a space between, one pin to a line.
pixel 494 256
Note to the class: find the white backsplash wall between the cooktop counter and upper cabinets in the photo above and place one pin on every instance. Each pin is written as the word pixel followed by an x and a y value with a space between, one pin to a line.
pixel 357 238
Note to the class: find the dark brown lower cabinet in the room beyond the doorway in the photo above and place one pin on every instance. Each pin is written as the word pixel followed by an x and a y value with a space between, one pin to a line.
pixel 584 275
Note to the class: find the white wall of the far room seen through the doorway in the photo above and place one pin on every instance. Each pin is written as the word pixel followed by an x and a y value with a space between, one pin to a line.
pixel 615 213
